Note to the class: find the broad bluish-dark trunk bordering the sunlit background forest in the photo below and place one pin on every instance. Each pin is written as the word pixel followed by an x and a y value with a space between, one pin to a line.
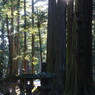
pixel 56 56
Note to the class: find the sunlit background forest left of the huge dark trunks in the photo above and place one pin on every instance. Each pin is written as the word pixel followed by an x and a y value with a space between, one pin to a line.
pixel 23 34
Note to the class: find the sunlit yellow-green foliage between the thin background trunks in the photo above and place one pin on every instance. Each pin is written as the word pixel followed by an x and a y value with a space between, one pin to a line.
pixel 39 15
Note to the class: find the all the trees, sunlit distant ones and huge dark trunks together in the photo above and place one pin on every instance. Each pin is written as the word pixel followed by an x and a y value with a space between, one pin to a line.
pixel 60 33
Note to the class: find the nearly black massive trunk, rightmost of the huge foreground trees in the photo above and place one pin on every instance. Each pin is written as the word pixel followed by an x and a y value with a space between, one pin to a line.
pixel 84 48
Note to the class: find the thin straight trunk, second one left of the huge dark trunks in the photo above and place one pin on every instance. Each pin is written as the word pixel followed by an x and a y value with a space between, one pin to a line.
pixel 33 38
